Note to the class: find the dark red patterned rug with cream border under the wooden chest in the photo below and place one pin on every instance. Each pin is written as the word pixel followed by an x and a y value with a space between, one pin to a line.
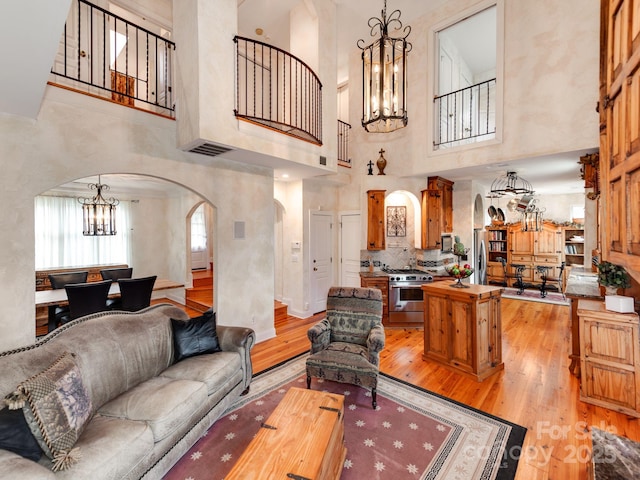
pixel 413 434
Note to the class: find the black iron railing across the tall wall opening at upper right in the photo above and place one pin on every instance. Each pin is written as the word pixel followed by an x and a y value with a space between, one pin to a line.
pixel 466 115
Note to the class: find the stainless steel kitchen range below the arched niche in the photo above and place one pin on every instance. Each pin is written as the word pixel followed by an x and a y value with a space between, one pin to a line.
pixel 405 296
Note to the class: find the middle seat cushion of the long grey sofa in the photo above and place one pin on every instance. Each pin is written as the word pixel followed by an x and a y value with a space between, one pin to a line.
pixel 163 403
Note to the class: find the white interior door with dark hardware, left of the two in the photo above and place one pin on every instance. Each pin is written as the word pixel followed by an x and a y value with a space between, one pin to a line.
pixel 320 248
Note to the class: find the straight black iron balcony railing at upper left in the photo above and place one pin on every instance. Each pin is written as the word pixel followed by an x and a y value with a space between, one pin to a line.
pixel 103 54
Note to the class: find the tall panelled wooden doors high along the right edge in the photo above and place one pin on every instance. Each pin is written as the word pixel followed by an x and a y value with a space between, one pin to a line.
pixel 619 109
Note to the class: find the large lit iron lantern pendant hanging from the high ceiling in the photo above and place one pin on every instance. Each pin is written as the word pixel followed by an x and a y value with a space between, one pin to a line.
pixel 384 75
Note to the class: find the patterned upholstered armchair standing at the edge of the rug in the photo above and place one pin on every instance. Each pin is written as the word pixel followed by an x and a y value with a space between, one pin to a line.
pixel 346 345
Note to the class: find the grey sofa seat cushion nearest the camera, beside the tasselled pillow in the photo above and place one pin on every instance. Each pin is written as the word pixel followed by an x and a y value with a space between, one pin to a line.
pixel 111 448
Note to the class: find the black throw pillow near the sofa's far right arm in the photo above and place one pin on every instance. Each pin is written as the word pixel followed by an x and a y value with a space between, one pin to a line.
pixel 195 336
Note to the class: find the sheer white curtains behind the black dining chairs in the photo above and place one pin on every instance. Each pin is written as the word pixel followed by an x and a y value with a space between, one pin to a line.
pixel 59 241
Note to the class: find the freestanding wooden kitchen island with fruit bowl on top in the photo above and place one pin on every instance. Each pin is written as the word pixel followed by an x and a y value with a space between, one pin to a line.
pixel 462 328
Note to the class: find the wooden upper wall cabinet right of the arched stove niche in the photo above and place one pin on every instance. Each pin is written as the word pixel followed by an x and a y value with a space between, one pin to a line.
pixel 437 212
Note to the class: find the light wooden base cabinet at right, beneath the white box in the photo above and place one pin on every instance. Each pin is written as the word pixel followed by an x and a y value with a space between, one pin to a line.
pixel 609 358
